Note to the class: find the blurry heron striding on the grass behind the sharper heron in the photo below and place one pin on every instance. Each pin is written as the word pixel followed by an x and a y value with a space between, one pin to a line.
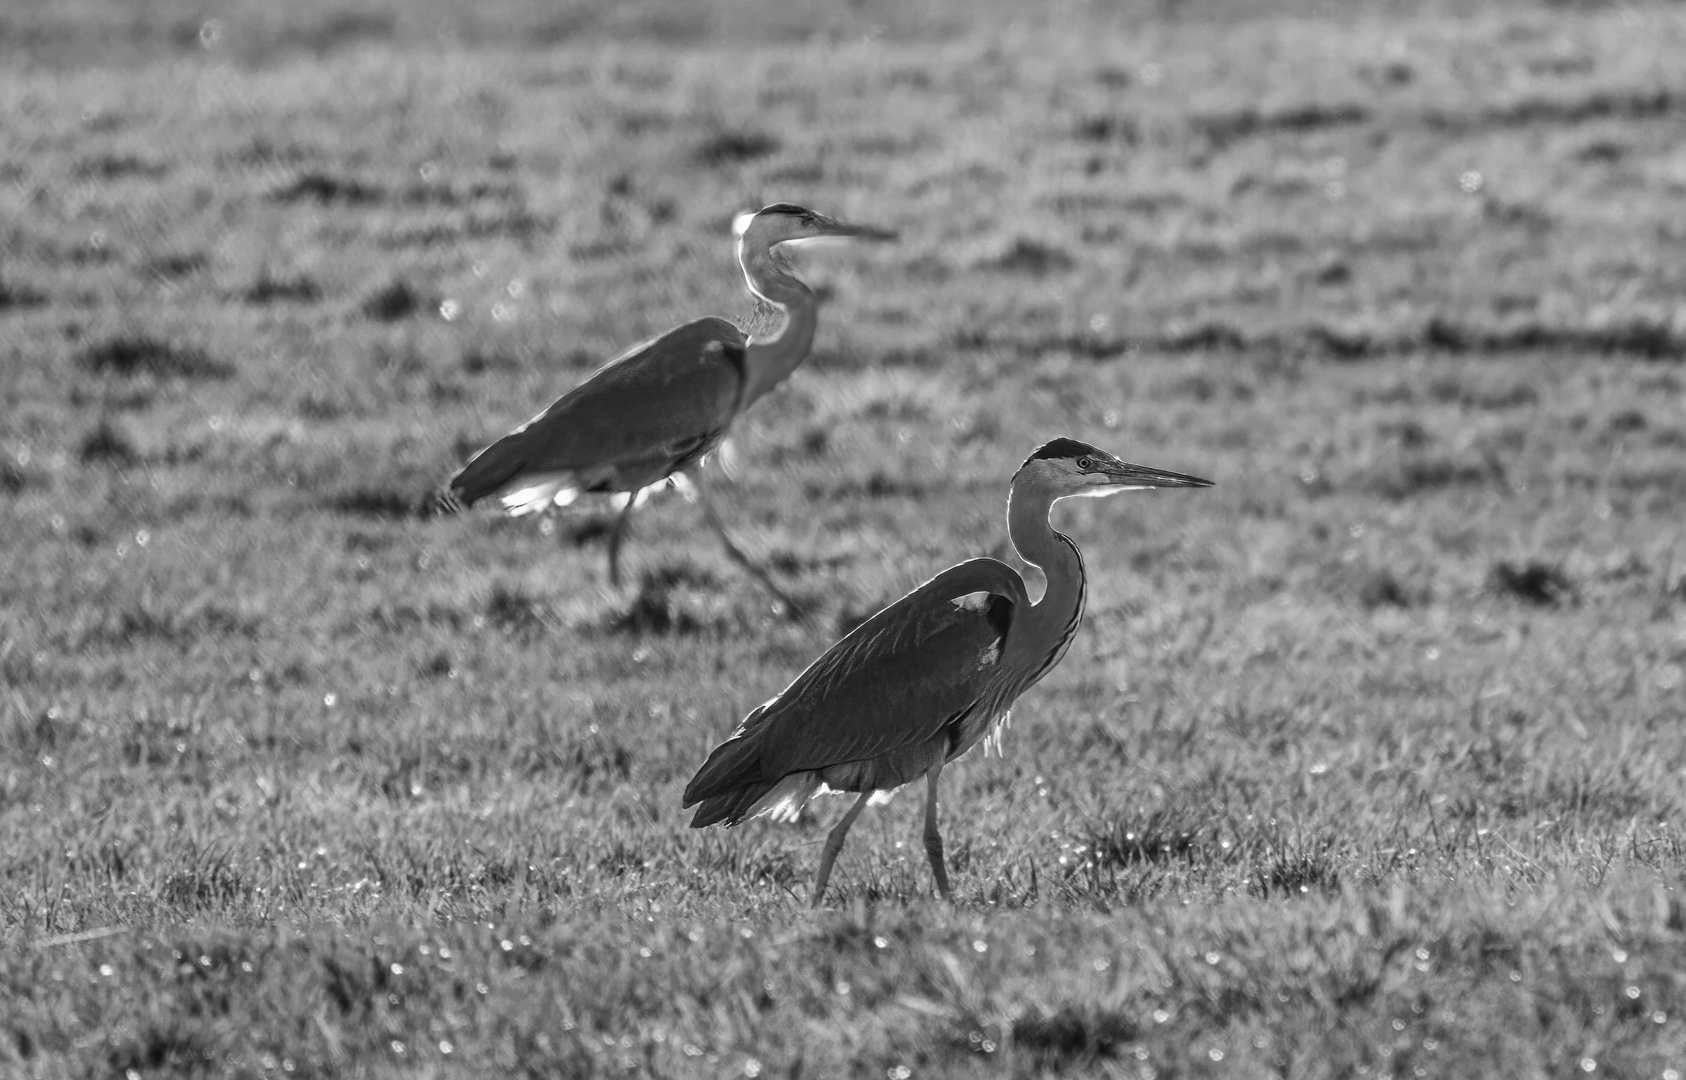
pixel 660 409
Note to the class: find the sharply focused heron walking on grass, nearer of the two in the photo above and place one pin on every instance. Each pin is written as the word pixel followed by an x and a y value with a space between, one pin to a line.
pixel 925 680
